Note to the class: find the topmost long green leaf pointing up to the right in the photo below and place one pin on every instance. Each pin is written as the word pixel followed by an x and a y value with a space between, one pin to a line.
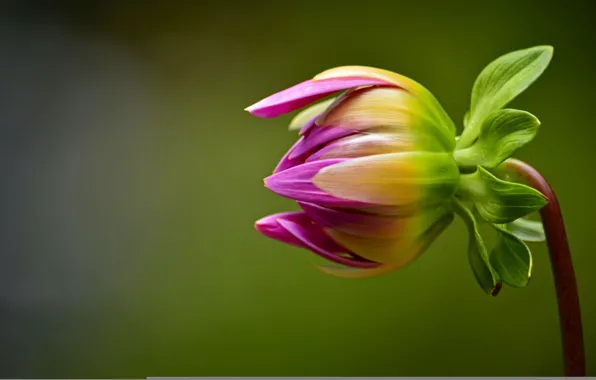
pixel 500 82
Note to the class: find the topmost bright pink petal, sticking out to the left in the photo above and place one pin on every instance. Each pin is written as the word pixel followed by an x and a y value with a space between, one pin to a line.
pixel 305 93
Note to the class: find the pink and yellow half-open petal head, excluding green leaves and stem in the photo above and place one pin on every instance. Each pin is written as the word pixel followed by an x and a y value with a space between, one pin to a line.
pixel 373 170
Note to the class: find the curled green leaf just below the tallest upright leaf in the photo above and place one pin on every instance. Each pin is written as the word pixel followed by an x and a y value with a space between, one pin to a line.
pixel 502 134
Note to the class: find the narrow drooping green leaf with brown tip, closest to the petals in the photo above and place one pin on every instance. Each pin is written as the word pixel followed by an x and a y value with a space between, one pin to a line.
pixel 485 275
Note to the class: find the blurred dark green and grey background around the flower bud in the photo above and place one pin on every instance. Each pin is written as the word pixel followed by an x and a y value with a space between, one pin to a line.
pixel 131 178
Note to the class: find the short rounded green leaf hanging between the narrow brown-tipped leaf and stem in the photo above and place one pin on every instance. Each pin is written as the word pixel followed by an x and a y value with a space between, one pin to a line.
pixel 512 259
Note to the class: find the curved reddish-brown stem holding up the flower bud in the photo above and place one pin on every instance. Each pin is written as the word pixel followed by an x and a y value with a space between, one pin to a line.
pixel 562 267
